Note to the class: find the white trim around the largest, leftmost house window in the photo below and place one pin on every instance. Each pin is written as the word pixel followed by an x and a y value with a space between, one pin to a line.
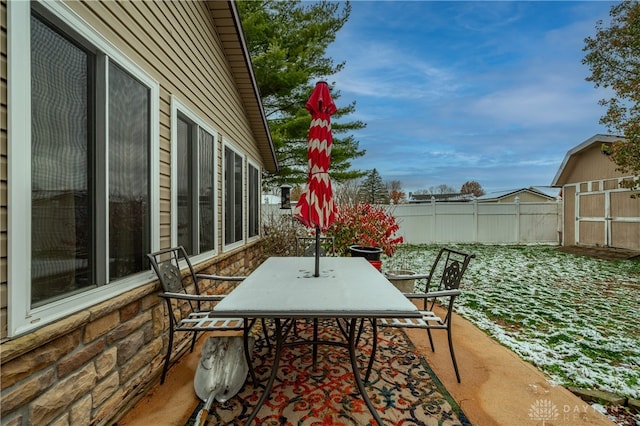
pixel 21 317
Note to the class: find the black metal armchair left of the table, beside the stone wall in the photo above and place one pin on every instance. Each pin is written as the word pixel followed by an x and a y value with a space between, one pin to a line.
pixel 187 307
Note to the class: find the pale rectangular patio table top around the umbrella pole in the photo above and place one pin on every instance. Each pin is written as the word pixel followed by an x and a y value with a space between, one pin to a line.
pixel 284 287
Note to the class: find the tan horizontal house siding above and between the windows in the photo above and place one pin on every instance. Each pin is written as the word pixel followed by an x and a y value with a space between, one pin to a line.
pixel 178 45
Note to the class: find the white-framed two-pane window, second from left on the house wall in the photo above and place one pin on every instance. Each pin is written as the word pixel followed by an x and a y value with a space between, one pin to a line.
pixel 194 182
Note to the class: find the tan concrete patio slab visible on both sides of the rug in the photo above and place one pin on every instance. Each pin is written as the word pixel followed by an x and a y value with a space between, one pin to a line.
pixel 497 389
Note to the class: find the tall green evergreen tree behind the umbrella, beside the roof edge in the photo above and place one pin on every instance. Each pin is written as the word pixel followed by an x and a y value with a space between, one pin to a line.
pixel 287 41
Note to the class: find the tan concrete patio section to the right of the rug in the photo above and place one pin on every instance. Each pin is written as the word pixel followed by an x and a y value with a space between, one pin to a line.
pixel 499 388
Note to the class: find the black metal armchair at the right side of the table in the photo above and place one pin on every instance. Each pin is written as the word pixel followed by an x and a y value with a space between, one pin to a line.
pixel 444 277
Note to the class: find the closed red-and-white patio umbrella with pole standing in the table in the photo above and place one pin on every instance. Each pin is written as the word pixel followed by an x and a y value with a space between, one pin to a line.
pixel 316 208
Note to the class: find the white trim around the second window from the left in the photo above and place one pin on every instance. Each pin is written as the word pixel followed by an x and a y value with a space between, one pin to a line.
pixel 178 107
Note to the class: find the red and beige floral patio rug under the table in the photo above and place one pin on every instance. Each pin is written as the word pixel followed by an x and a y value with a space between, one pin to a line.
pixel 402 386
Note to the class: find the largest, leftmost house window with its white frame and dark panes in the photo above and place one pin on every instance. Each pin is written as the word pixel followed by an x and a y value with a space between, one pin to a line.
pixel 83 170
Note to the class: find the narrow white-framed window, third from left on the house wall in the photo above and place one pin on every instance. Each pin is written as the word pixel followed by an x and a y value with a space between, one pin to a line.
pixel 233 200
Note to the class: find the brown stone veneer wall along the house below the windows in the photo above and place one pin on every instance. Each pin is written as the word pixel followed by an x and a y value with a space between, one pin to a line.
pixel 92 366
